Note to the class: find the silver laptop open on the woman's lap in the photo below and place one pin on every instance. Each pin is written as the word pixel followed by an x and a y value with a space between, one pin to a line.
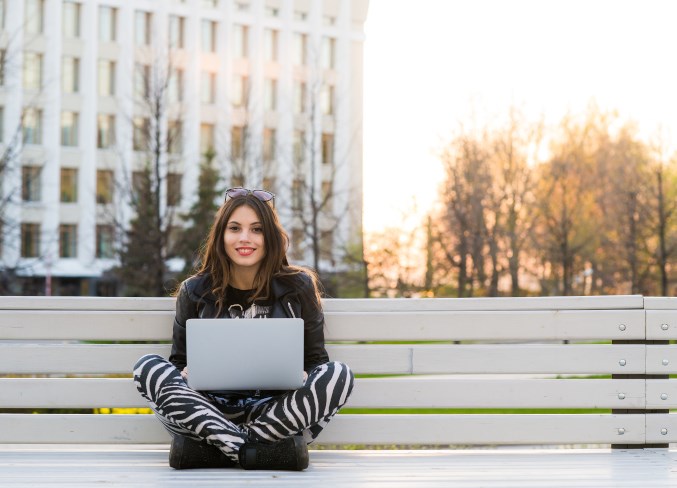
pixel 244 354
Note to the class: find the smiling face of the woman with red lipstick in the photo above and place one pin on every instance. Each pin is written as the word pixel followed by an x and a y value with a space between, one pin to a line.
pixel 243 239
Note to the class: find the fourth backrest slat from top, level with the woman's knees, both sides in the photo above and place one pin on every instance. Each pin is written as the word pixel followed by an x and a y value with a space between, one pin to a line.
pixel 368 393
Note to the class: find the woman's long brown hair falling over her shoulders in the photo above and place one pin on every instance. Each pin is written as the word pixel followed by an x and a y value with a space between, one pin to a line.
pixel 216 264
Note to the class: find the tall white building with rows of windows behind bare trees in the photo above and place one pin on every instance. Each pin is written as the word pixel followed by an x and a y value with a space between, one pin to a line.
pixel 277 80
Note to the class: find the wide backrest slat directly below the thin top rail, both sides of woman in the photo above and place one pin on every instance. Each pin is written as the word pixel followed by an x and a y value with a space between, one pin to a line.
pixel 389 326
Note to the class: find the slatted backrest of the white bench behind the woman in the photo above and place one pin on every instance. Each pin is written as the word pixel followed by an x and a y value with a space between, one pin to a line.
pixel 488 354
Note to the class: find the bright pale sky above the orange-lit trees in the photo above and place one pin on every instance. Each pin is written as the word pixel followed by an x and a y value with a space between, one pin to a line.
pixel 431 64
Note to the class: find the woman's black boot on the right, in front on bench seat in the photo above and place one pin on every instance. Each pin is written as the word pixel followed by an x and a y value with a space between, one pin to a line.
pixel 289 454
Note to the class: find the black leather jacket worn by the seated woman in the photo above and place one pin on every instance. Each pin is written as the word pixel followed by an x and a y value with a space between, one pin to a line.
pixel 293 296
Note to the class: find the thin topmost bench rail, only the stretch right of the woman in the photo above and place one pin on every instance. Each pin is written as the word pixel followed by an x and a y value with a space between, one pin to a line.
pixel 621 302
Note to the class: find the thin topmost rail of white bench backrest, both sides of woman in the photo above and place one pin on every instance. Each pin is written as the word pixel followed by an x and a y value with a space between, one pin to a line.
pixel 344 305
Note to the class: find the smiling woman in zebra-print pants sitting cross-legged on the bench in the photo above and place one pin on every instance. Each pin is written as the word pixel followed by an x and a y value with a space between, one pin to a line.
pixel 244 273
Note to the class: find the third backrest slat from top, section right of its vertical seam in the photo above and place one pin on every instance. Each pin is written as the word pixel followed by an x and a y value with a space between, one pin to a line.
pixel 529 358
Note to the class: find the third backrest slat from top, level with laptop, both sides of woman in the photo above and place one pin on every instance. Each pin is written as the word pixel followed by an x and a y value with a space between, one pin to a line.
pixel 391 358
